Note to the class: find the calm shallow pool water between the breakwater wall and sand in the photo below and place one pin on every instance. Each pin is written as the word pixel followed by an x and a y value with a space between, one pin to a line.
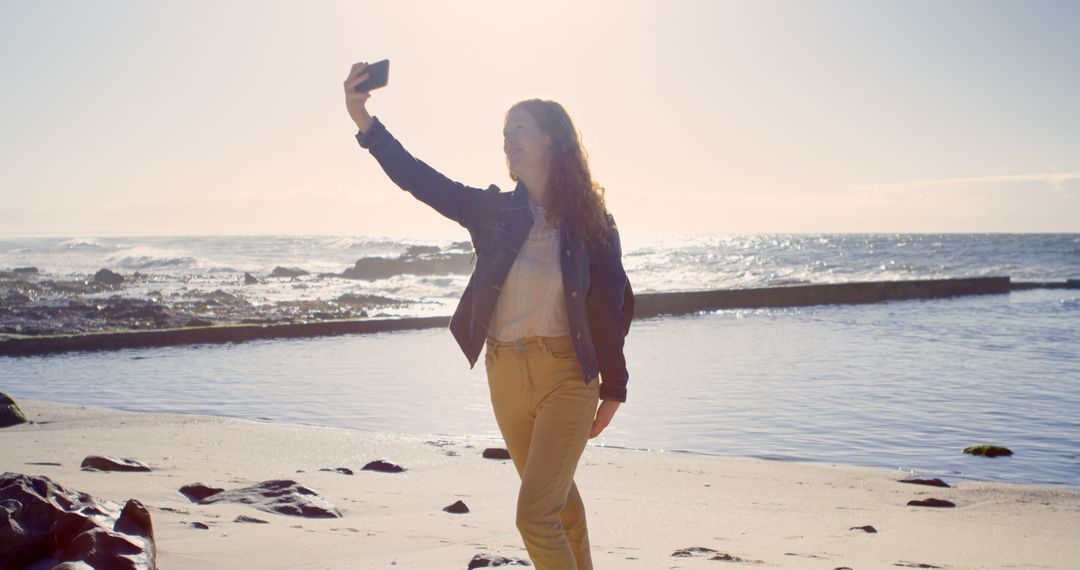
pixel 901 386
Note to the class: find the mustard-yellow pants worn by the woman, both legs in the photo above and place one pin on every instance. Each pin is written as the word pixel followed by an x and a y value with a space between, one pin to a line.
pixel 545 411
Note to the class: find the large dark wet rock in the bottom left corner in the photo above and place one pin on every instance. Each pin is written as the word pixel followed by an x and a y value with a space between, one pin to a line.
pixel 44 525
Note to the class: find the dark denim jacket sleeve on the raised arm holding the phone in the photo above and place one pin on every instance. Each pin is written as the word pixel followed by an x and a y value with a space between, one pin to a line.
pixel 454 200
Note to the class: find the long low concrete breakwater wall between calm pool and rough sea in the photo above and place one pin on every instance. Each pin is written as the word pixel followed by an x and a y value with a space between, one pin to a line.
pixel 647 306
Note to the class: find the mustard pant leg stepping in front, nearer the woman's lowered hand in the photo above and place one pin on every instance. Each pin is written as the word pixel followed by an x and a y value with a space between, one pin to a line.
pixel 548 496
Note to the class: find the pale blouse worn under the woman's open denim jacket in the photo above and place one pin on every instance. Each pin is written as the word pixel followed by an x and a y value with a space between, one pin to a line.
pixel 531 302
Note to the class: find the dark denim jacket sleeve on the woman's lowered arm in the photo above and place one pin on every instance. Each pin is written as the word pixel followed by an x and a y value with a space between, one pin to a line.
pixel 609 319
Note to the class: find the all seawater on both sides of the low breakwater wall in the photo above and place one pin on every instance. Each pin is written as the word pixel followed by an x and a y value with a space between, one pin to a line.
pixel 903 386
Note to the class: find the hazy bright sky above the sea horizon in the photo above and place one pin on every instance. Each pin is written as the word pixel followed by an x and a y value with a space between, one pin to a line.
pixel 197 117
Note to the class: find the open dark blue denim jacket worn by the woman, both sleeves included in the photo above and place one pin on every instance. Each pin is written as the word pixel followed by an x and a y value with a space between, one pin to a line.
pixel 600 303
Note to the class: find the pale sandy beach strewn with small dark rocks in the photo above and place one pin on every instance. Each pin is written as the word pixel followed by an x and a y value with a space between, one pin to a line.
pixel 644 507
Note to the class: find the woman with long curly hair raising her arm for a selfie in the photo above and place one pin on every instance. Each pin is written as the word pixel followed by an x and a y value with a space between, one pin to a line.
pixel 549 298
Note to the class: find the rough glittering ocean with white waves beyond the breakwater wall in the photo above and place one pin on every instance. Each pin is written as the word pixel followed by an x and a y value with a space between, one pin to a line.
pixel 183 266
